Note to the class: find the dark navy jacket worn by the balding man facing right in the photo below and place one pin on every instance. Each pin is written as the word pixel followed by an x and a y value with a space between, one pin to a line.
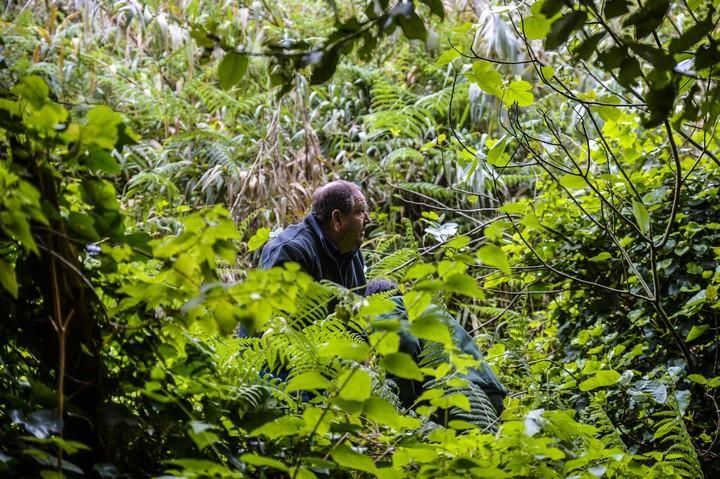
pixel 306 244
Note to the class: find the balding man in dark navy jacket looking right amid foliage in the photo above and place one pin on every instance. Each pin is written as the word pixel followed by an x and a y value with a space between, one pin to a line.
pixel 326 244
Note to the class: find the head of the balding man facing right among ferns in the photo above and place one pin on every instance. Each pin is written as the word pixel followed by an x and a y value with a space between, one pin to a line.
pixel 340 209
